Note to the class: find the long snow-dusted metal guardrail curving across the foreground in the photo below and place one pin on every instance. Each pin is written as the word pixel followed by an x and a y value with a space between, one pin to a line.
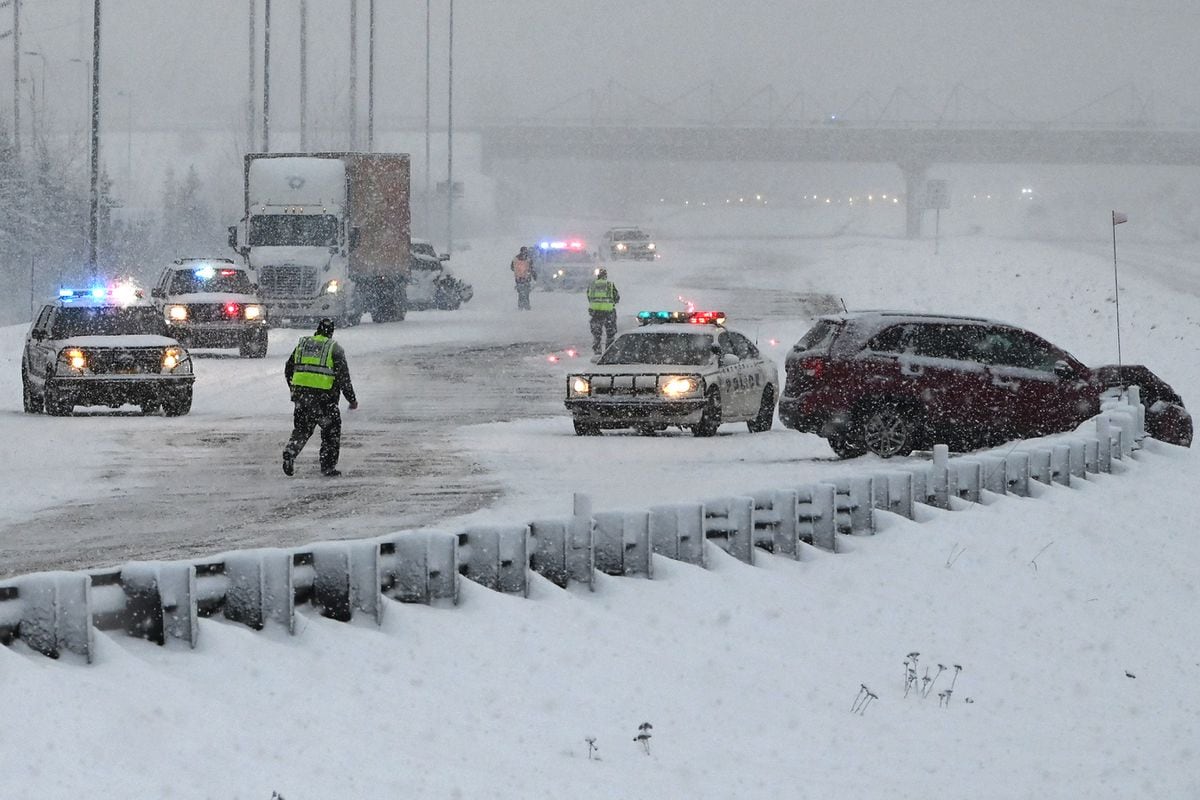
pixel 61 612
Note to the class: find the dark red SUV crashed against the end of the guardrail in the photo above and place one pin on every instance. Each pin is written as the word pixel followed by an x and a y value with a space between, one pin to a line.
pixel 891 383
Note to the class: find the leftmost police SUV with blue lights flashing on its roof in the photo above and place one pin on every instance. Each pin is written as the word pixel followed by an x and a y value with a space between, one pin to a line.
pixel 104 347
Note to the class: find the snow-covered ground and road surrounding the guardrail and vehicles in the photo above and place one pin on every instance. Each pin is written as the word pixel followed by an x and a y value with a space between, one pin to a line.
pixel 1070 613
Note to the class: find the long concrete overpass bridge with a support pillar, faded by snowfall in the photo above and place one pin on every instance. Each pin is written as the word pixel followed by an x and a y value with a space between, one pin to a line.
pixel 913 148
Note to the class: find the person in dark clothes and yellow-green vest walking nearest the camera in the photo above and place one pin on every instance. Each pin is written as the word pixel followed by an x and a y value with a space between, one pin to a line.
pixel 319 376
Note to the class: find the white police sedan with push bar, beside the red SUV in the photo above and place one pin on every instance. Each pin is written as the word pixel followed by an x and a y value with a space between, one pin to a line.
pixel 679 369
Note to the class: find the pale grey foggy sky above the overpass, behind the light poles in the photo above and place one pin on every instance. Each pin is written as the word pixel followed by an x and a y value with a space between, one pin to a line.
pixel 185 63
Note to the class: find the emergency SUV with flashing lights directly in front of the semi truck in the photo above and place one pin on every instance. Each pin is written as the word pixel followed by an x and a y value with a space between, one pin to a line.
pixel 212 303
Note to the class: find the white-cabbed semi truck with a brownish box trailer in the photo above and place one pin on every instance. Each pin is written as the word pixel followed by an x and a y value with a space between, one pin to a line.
pixel 327 234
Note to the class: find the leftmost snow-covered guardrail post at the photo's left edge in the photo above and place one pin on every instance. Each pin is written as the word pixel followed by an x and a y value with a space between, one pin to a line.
pixel 56 613
